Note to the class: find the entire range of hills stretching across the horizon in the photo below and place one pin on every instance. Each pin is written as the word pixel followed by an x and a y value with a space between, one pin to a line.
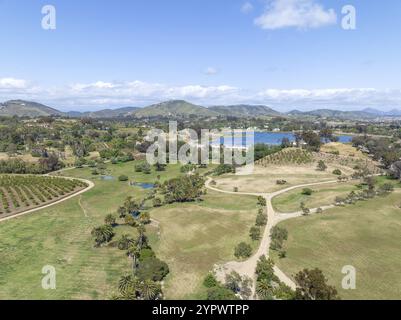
pixel 180 109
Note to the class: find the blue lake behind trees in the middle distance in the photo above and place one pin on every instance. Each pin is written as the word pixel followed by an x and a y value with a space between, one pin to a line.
pixel 271 138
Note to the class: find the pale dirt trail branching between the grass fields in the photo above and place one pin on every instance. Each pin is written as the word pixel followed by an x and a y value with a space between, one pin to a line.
pixel 248 267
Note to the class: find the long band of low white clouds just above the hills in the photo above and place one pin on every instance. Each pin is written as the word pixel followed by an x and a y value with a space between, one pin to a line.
pixel 108 94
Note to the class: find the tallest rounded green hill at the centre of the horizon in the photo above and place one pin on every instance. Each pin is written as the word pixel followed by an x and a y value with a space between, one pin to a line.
pixel 174 109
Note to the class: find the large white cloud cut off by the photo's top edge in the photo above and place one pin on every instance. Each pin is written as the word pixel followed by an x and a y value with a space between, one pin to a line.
pixel 301 14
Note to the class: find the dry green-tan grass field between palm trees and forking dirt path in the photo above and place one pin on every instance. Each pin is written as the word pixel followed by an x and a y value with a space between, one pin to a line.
pixel 195 236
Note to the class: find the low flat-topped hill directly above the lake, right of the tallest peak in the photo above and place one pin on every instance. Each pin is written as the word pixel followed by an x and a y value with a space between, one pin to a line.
pixel 245 111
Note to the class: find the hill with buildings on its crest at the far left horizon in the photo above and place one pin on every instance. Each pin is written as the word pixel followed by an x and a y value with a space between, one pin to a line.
pixel 23 108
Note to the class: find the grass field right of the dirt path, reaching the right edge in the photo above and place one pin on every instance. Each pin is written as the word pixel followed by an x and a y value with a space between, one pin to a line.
pixel 366 235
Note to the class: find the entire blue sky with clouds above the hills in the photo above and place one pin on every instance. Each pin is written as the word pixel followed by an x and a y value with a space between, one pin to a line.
pixel 283 53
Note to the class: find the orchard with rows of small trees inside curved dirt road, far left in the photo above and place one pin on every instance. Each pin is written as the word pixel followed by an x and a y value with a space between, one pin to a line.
pixel 19 193
